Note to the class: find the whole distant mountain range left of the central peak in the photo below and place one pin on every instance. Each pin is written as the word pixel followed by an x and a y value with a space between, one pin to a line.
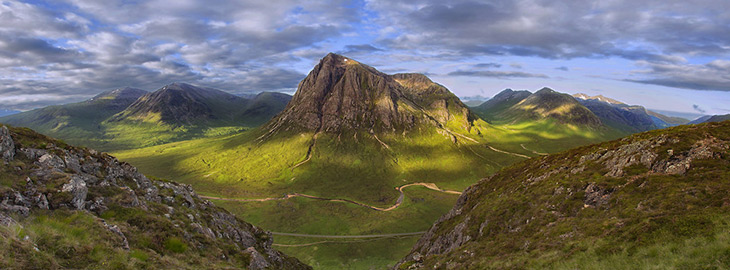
pixel 130 118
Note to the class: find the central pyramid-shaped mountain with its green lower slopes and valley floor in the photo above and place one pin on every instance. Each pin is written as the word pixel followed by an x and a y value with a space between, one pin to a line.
pixel 354 134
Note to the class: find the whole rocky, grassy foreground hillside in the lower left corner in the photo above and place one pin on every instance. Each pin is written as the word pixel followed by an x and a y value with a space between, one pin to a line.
pixel 65 207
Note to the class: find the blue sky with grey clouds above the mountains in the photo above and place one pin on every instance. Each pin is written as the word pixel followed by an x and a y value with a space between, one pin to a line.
pixel 663 54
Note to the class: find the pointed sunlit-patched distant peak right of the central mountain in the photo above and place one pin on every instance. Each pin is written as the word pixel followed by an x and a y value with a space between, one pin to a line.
pixel 547 103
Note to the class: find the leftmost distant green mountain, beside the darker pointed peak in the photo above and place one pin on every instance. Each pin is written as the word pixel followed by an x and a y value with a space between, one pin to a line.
pixel 77 122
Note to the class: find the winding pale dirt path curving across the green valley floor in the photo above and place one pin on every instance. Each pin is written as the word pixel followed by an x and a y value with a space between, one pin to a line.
pixel 398 202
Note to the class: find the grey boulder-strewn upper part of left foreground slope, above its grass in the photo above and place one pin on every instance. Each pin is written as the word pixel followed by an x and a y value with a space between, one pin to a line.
pixel 85 180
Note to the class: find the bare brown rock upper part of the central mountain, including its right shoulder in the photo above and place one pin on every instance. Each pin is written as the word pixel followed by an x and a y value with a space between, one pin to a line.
pixel 343 94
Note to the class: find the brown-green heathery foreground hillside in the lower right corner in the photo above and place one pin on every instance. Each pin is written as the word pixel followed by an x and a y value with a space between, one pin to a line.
pixel 657 199
